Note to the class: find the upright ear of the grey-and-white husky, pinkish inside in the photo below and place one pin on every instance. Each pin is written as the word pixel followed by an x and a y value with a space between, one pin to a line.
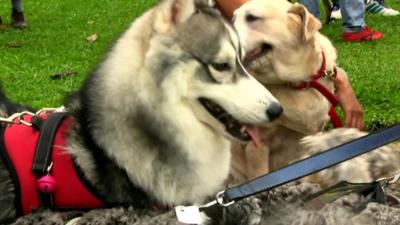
pixel 173 13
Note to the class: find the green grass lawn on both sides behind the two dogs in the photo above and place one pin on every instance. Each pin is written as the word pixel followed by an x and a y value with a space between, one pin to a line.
pixel 56 43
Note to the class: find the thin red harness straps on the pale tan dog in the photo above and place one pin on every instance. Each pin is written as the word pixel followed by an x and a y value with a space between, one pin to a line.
pixel 313 83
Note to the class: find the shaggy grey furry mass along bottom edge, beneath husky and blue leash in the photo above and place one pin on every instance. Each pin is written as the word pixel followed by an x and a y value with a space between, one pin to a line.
pixel 282 206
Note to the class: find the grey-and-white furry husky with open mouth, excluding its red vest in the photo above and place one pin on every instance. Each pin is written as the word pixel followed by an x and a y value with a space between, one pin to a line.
pixel 153 122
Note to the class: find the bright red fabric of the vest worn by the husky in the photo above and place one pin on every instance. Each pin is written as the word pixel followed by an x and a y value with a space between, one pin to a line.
pixel 20 142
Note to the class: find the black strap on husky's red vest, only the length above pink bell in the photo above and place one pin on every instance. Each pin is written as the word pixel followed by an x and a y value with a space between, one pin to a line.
pixel 44 146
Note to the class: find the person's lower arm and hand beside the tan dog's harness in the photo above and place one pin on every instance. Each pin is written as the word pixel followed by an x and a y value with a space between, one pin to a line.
pixel 354 114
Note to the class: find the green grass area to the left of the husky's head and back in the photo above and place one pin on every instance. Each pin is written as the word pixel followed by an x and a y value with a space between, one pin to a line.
pixel 55 41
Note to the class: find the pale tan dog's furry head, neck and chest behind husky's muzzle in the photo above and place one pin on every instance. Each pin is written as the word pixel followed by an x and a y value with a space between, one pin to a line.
pixel 296 54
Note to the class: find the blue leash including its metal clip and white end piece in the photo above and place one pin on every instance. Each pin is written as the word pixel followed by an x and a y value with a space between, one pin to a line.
pixel 294 171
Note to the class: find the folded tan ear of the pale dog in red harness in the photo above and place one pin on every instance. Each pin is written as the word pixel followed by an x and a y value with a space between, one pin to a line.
pixel 309 24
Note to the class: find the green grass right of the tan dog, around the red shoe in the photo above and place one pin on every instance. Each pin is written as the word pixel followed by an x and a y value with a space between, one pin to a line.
pixel 373 68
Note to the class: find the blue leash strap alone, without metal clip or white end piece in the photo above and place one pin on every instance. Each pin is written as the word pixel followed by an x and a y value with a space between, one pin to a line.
pixel 313 164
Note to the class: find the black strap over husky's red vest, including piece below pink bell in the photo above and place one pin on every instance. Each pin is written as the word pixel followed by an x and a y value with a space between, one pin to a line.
pixel 48 129
